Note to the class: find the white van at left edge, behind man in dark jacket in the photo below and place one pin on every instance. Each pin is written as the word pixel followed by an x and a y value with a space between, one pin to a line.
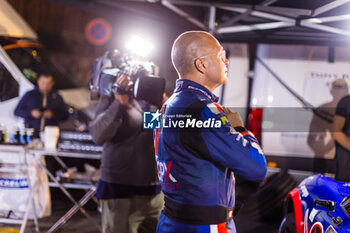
pixel 21 58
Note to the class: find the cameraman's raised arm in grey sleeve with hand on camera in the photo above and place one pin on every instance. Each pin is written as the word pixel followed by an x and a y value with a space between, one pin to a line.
pixel 109 115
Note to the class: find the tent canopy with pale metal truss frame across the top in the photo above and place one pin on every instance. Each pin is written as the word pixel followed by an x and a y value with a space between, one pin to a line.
pixel 321 21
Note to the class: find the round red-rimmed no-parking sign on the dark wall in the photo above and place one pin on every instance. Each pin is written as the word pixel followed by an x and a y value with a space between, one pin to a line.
pixel 98 31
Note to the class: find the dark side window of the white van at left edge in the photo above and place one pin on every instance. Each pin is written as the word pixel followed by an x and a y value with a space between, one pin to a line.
pixel 8 85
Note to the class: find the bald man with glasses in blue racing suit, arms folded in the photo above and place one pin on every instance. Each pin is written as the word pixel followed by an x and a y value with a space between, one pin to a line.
pixel 201 145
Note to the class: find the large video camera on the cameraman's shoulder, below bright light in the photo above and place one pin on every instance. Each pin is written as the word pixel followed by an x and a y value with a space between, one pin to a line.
pixel 146 84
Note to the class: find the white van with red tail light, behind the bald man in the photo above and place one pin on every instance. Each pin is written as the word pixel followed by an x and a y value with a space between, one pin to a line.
pixel 295 92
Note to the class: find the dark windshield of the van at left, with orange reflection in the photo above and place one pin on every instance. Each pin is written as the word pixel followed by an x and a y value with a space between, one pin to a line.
pixel 31 59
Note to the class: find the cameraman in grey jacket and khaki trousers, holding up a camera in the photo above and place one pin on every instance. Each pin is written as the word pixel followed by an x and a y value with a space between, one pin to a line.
pixel 128 189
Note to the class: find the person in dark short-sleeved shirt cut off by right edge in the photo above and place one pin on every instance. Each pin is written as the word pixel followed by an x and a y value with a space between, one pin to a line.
pixel 341 133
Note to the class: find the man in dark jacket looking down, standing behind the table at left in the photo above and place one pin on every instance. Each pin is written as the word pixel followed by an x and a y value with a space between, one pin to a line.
pixel 42 106
